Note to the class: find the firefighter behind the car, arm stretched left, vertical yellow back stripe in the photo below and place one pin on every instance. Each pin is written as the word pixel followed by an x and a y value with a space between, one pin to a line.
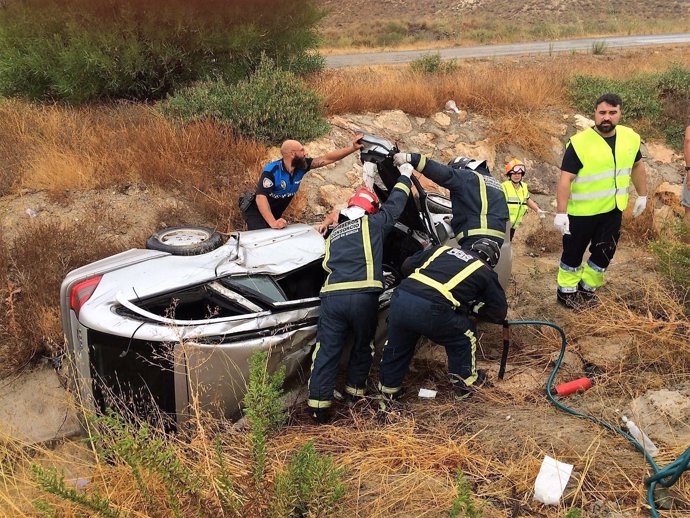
pixel 479 205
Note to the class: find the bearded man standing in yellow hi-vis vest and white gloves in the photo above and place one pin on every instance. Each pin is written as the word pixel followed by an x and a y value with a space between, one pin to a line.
pixel 592 193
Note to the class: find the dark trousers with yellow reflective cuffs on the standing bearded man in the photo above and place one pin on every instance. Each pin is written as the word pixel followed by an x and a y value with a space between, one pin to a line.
pixel 601 233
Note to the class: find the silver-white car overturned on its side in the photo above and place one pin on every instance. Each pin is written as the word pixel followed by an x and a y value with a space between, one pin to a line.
pixel 174 326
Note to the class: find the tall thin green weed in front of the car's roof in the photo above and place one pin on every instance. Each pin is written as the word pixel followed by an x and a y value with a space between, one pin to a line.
pixel 263 408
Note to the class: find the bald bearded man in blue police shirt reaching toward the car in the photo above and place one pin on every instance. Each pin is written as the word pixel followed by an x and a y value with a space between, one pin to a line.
pixel 280 181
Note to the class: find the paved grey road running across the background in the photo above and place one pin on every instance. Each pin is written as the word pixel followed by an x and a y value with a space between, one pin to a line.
pixel 487 51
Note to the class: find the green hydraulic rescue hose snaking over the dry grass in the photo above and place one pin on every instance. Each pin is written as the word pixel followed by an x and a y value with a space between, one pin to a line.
pixel 666 476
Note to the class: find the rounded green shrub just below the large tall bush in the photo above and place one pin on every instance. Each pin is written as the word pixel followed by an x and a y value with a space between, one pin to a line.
pixel 270 106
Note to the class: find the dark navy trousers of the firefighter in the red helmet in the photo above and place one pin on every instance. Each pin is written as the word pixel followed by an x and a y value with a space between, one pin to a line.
pixel 340 314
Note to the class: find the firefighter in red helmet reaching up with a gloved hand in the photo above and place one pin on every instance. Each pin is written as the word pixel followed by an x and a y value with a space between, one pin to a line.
pixel 350 294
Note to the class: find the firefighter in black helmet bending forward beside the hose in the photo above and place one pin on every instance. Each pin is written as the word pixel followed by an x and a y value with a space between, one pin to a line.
pixel 449 287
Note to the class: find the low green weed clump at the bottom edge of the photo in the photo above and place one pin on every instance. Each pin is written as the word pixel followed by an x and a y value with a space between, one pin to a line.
pixel 310 486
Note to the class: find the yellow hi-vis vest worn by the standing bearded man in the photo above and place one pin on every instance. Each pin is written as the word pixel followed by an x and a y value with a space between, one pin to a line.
pixel 603 183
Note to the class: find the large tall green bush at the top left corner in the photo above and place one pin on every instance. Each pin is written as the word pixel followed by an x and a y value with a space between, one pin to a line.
pixel 85 50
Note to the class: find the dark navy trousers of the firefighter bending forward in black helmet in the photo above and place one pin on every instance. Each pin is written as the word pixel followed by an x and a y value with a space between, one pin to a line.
pixel 412 316
